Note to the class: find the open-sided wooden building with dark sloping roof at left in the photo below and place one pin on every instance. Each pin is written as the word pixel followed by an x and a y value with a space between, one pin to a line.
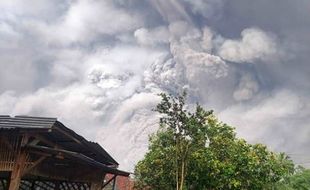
pixel 42 154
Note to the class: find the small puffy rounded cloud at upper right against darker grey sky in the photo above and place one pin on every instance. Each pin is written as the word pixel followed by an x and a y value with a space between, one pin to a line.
pixel 254 44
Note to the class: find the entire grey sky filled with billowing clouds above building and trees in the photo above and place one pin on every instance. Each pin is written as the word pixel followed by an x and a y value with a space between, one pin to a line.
pixel 99 65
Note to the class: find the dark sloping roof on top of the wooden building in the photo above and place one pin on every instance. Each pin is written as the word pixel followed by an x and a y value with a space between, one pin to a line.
pixel 56 132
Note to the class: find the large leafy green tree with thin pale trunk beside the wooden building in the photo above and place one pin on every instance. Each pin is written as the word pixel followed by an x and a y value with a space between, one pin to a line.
pixel 193 150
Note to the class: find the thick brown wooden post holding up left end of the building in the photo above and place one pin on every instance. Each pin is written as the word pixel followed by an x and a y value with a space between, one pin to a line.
pixel 18 168
